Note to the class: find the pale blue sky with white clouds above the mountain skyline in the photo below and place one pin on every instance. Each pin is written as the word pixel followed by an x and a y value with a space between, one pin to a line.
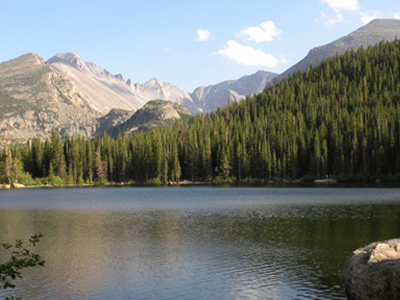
pixel 187 43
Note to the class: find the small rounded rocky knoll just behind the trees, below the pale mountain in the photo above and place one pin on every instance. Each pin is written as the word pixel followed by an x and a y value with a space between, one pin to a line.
pixel 154 113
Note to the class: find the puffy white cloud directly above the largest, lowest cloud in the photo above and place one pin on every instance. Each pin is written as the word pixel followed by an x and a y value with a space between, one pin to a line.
pixel 263 33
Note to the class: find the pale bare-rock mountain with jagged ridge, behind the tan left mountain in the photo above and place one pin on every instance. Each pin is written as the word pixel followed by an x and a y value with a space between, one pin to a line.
pixel 105 91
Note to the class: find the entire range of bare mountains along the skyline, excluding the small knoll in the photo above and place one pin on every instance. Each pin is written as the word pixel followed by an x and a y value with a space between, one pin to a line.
pixel 79 97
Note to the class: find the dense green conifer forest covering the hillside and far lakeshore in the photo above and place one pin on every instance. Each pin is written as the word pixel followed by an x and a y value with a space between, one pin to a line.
pixel 340 118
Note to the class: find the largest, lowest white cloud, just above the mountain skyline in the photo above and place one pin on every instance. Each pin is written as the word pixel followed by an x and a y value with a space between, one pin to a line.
pixel 248 56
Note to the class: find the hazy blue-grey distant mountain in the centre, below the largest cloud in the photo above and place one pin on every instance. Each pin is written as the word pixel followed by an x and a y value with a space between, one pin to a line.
pixel 211 97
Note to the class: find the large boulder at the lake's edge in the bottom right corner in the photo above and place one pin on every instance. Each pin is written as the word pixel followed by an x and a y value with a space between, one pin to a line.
pixel 373 272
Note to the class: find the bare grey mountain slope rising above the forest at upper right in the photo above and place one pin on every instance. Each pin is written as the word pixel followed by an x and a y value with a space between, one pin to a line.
pixel 368 35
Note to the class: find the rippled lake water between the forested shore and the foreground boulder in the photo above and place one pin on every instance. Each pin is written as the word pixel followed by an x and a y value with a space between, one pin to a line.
pixel 195 242
